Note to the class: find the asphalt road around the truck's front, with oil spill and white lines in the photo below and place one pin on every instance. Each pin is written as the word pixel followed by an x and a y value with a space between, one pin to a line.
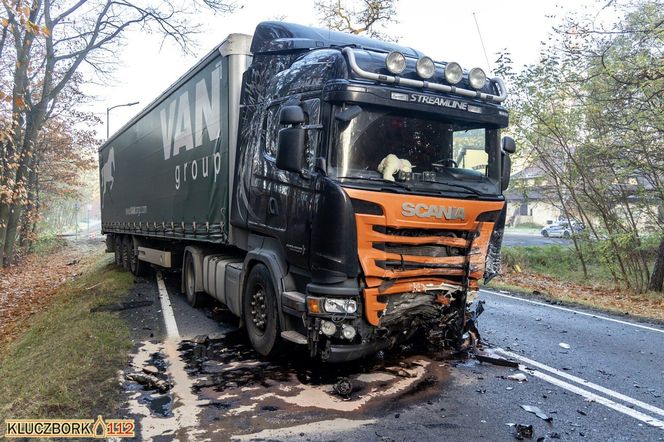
pixel 608 385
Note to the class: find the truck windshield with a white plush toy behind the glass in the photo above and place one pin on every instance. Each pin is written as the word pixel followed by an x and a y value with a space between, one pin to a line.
pixel 439 152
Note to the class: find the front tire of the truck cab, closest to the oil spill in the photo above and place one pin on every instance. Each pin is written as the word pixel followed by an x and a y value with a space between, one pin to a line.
pixel 261 318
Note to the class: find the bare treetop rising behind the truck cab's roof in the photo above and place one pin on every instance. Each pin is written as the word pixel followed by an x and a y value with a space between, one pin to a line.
pixel 368 17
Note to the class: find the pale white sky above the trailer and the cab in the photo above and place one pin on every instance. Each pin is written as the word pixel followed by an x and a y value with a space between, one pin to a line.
pixel 442 29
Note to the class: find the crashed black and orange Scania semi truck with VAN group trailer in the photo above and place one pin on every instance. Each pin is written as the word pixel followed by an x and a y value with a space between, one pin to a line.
pixel 333 191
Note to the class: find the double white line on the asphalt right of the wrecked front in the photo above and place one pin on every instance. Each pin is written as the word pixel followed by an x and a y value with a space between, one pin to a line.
pixel 588 394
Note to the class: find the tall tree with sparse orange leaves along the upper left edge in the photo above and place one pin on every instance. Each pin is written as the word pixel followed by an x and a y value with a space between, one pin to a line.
pixel 43 45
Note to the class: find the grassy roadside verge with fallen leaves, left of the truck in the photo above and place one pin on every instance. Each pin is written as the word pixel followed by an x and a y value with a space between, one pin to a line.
pixel 65 363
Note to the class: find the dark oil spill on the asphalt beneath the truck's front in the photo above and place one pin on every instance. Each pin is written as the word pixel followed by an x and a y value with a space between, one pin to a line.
pixel 242 392
